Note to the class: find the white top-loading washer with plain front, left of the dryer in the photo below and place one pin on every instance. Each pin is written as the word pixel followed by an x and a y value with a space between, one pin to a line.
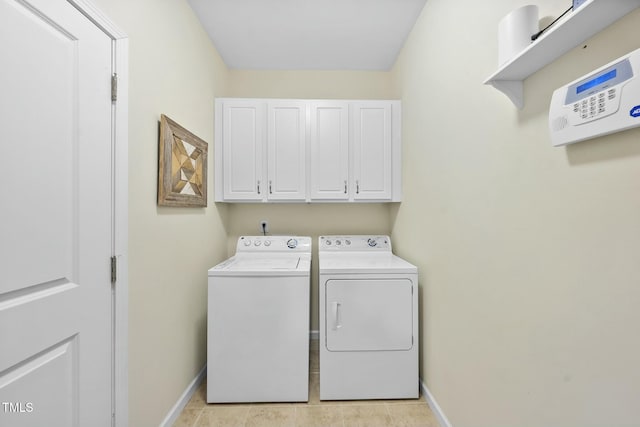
pixel 258 322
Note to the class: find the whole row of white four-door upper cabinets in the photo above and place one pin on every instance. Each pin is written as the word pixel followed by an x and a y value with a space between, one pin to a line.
pixel 307 150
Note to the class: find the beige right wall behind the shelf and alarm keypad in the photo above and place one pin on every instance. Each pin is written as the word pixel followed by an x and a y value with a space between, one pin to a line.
pixel 528 254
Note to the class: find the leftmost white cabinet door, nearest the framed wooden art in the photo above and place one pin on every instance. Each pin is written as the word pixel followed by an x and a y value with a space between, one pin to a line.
pixel 242 145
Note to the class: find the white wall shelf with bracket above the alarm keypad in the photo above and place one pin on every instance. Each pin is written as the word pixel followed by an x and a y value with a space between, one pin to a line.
pixel 588 19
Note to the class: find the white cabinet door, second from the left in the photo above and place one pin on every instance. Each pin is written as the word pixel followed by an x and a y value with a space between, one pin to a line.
pixel 286 150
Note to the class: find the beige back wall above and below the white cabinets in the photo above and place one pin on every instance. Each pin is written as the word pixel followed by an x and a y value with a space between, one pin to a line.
pixel 309 219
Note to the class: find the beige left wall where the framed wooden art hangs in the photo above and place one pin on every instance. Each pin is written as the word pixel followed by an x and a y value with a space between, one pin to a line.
pixel 174 70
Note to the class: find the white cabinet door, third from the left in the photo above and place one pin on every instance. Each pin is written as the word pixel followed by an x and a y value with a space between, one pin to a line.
pixel 329 150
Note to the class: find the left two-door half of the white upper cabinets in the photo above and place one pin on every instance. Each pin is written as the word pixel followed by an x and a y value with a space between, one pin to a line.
pixel 260 150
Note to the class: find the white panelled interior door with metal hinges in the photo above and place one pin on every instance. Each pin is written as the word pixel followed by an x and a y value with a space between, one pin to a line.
pixel 56 231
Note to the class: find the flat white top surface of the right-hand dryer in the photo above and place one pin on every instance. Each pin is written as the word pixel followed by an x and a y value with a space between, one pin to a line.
pixel 363 263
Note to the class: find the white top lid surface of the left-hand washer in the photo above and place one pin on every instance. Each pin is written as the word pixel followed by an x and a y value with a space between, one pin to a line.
pixel 264 265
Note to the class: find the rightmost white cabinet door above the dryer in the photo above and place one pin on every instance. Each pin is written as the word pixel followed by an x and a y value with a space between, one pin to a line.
pixel 372 150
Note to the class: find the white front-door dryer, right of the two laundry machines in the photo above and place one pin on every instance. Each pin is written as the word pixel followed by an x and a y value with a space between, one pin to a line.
pixel 368 320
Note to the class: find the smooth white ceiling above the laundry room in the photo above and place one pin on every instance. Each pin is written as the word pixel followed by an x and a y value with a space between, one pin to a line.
pixel 308 34
